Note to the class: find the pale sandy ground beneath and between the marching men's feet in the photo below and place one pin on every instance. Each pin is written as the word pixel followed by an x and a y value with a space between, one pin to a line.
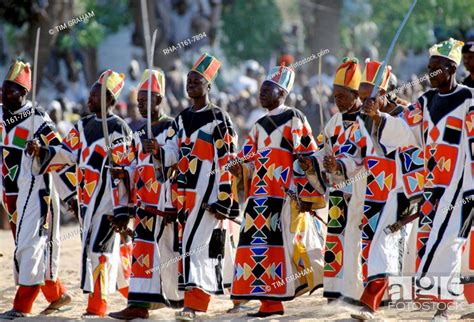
pixel 305 308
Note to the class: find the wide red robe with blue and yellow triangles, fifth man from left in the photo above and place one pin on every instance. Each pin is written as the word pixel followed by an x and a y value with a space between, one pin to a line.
pixel 279 255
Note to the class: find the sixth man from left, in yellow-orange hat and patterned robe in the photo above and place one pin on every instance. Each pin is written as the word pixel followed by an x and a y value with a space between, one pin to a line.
pixel 331 169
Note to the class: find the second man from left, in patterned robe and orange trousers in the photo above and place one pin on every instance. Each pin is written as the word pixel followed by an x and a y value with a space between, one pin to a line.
pixel 101 199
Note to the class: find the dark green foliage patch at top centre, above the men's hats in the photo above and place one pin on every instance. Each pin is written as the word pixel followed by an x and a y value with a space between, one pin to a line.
pixel 251 30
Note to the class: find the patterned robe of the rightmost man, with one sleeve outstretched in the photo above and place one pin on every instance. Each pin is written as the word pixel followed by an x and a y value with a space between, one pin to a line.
pixel 443 125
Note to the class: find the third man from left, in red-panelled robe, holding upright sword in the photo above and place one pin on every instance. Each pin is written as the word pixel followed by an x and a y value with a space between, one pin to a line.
pixel 154 281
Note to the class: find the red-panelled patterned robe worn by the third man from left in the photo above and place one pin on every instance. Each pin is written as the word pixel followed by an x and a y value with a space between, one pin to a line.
pixel 155 244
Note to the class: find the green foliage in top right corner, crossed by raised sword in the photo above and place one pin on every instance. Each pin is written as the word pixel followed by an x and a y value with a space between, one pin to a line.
pixel 431 21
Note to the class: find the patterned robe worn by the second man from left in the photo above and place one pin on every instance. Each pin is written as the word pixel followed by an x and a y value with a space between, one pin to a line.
pixel 99 196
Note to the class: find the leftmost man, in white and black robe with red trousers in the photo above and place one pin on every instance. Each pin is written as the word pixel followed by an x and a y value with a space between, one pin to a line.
pixel 31 202
